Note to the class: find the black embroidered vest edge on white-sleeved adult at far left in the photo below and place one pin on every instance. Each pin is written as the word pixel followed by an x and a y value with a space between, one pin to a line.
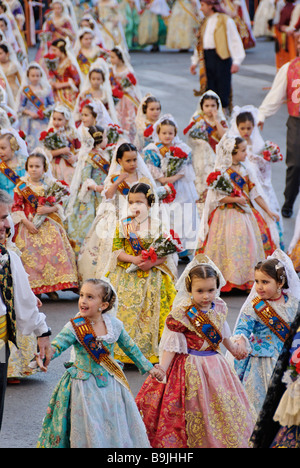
pixel 6 286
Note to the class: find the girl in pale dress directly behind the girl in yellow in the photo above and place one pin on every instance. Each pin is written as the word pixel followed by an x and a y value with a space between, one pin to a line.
pixel 126 169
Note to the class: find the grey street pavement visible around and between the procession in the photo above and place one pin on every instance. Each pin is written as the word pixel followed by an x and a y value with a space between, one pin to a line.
pixel 165 74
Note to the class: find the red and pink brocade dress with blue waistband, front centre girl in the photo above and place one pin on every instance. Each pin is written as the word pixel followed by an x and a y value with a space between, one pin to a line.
pixel 202 404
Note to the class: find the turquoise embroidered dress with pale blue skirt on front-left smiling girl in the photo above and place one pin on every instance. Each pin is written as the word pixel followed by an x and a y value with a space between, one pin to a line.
pixel 91 407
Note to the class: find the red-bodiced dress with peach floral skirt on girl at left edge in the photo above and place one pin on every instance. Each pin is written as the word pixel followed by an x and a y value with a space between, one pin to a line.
pixel 47 256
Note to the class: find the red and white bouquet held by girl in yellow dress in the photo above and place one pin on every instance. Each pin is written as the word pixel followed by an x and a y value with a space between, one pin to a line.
pixel 166 244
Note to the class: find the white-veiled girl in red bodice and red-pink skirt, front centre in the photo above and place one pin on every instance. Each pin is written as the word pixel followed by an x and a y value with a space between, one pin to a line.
pixel 202 403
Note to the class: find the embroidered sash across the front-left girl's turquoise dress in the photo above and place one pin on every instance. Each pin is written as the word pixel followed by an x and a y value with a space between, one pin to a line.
pixel 98 352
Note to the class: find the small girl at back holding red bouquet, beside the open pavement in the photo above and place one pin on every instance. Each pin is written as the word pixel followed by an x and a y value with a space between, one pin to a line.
pixel 125 91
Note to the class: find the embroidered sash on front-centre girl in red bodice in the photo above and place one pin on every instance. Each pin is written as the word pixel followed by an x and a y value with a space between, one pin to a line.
pixel 203 326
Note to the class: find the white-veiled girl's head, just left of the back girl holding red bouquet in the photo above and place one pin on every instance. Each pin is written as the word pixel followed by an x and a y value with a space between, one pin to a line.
pixel 96 87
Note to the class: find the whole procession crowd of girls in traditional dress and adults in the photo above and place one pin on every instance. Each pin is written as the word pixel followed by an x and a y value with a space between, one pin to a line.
pixel 102 194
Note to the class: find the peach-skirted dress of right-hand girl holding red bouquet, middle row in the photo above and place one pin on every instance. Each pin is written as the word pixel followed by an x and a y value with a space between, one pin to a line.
pixel 238 238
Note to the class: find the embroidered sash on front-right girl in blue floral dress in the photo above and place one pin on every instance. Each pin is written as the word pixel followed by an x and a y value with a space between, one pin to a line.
pixel 270 318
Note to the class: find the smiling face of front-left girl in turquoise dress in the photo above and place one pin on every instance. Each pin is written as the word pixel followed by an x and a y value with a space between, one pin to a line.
pixel 90 301
